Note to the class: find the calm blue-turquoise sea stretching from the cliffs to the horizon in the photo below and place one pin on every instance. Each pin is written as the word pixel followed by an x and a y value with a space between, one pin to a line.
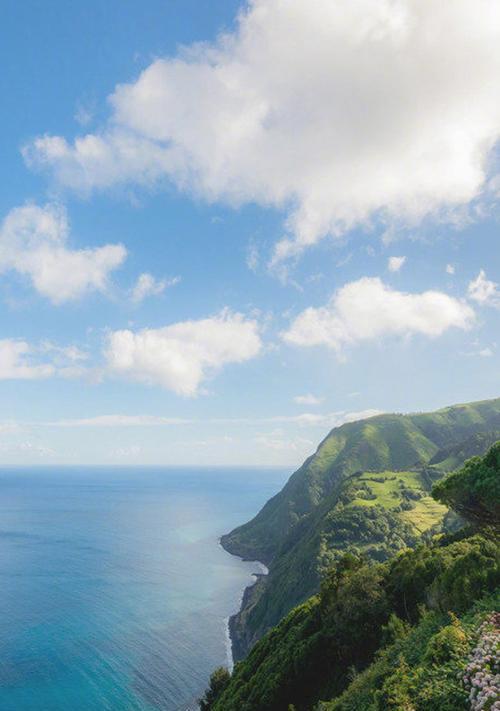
pixel 113 589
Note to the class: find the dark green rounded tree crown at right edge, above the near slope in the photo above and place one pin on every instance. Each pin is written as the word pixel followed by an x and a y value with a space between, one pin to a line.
pixel 474 490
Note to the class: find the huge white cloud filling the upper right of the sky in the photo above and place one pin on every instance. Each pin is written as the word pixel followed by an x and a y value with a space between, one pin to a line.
pixel 337 111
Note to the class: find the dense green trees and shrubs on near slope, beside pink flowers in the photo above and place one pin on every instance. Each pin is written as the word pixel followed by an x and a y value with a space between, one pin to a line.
pixel 315 652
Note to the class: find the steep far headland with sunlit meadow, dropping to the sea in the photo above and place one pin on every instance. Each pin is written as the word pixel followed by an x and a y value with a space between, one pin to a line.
pixel 366 488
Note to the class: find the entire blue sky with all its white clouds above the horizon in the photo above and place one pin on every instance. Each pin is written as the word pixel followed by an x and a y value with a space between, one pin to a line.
pixel 227 227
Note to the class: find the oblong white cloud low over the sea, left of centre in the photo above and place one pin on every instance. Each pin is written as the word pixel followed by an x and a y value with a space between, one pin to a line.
pixel 181 356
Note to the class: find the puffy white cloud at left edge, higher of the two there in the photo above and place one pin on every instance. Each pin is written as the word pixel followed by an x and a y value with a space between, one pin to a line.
pixel 33 242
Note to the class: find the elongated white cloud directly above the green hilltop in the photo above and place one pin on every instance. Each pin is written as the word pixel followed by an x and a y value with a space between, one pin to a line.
pixel 368 309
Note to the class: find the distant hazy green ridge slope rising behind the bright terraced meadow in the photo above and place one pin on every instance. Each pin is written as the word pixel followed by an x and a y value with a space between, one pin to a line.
pixel 389 442
